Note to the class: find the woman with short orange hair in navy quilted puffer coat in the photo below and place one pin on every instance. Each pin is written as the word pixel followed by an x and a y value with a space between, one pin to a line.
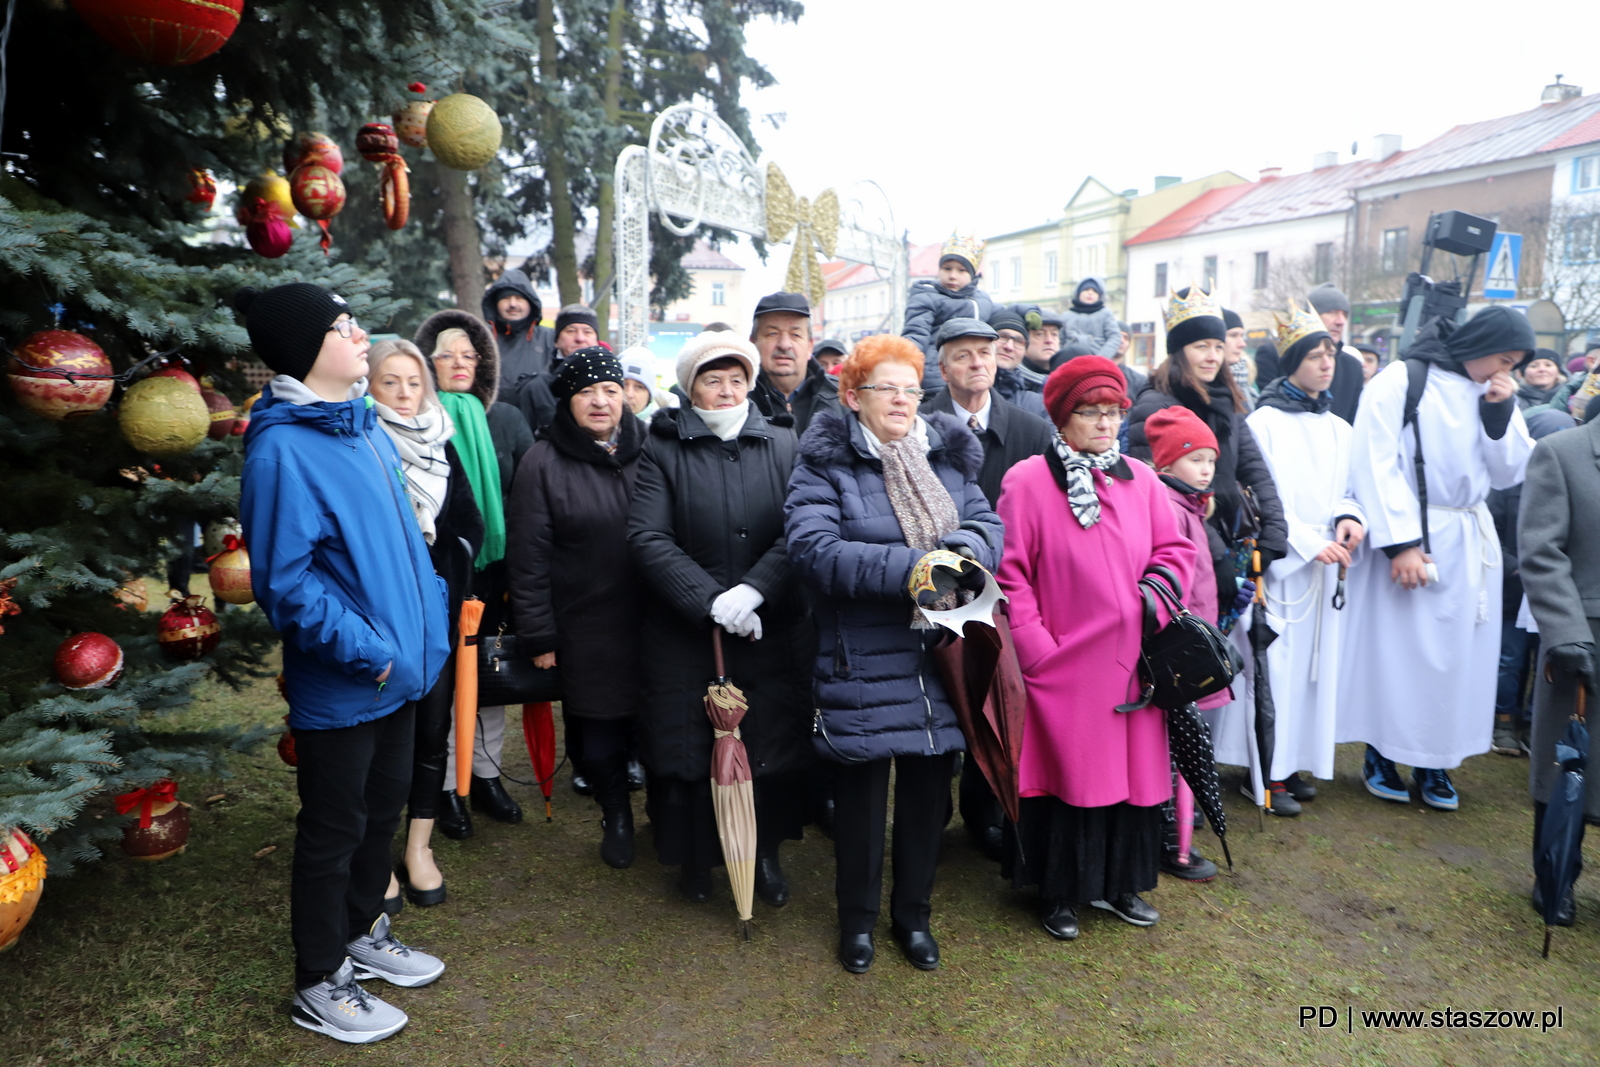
pixel 876 489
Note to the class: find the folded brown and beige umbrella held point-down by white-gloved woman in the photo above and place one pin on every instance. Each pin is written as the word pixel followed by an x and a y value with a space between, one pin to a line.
pixel 732 793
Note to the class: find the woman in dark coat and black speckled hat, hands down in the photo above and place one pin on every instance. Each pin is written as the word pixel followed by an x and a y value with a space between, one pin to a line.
pixel 575 593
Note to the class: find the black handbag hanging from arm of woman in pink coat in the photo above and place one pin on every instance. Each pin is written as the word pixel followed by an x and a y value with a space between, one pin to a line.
pixel 1188 658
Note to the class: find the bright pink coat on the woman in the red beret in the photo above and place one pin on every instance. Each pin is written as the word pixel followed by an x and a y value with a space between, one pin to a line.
pixel 1078 620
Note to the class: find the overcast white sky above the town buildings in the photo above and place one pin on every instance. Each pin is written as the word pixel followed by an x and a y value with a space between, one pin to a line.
pixel 986 116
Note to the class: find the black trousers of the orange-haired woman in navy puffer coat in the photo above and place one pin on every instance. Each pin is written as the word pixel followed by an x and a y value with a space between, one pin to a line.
pixel 862 794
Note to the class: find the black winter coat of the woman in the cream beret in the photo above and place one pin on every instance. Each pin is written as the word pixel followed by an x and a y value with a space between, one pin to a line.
pixel 710 516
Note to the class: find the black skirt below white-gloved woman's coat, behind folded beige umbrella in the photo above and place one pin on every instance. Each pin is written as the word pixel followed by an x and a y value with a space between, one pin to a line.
pixel 684 821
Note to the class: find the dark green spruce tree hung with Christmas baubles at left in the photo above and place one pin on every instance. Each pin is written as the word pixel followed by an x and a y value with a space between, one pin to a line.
pixel 97 233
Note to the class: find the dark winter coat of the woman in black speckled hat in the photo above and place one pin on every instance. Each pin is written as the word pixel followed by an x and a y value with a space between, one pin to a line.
pixel 574 585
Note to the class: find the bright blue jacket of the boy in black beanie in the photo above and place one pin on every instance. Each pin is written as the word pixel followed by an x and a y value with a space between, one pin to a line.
pixel 338 561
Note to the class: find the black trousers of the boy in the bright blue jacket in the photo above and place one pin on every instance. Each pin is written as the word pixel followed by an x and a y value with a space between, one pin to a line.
pixel 353 783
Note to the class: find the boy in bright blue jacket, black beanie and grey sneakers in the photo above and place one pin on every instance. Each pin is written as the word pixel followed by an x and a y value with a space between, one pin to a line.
pixel 343 573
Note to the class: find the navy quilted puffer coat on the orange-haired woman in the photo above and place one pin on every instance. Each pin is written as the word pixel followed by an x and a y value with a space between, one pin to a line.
pixel 878 685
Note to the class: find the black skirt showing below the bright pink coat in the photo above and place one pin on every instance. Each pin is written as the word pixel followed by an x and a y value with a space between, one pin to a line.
pixel 1079 855
